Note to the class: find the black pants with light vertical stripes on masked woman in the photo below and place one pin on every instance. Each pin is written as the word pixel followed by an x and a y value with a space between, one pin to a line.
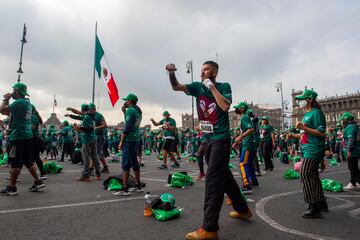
pixel 310 181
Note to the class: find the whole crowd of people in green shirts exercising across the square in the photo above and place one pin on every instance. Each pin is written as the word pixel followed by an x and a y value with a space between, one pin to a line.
pixel 89 141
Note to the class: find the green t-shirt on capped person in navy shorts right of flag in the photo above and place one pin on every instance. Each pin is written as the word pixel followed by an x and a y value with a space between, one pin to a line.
pixel 133 117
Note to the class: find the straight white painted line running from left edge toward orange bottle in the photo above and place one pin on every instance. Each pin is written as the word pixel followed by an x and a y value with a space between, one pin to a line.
pixel 68 205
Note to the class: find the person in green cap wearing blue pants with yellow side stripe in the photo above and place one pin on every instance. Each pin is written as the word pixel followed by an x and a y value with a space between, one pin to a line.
pixel 248 150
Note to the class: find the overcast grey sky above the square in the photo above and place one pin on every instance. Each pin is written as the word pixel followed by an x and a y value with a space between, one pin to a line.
pixel 257 43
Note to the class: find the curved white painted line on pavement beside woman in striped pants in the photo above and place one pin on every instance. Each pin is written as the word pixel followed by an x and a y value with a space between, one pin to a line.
pixel 260 211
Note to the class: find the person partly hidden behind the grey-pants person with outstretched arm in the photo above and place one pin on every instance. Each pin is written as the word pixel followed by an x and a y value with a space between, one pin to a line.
pixel 100 128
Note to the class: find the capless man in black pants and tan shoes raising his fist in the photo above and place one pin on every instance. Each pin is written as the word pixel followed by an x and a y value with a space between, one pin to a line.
pixel 213 100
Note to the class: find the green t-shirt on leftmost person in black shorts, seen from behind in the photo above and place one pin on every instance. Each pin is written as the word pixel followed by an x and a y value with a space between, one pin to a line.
pixel 20 123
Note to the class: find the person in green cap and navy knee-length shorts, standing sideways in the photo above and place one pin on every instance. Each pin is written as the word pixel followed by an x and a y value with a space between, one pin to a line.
pixel 129 144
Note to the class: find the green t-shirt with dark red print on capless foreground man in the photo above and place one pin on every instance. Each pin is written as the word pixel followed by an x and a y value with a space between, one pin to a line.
pixel 208 110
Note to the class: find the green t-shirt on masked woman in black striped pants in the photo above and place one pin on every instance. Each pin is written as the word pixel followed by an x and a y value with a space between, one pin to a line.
pixel 314 146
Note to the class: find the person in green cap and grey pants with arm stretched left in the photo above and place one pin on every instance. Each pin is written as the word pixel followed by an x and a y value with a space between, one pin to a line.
pixel 88 140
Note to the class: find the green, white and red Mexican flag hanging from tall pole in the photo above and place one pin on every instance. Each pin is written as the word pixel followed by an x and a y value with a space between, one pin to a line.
pixel 103 71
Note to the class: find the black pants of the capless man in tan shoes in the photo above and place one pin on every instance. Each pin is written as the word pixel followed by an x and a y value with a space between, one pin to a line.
pixel 219 180
